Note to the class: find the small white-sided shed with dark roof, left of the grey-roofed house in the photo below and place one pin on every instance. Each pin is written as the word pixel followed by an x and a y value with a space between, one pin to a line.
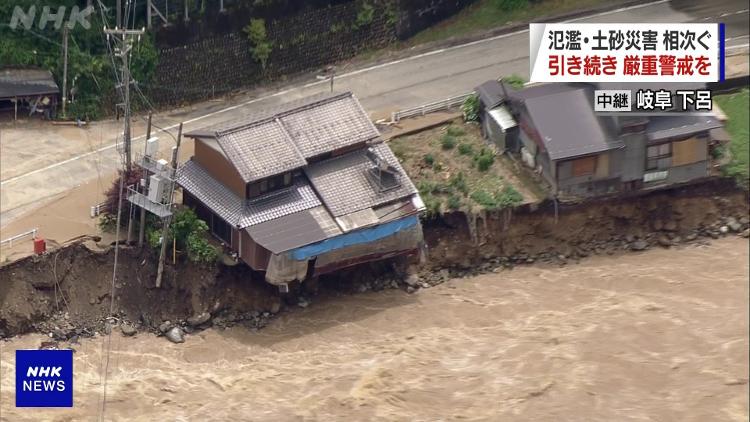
pixel 497 121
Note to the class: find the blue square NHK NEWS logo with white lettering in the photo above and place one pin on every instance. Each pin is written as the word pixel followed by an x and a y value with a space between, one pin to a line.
pixel 44 378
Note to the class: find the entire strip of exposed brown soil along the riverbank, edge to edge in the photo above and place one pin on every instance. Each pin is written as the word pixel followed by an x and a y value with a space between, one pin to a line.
pixel 65 293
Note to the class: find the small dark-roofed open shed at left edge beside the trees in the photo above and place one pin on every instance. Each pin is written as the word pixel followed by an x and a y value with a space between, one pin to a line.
pixel 28 89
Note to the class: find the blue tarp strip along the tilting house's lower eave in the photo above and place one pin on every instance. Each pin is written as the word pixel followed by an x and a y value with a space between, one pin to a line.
pixel 354 238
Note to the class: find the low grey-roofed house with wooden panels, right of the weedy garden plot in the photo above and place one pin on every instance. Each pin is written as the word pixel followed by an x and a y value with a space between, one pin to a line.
pixel 582 153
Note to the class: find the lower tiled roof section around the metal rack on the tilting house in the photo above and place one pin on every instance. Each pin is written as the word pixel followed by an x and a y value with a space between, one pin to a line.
pixel 344 188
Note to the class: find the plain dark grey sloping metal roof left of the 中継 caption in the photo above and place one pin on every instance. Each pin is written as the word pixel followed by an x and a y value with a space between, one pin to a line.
pixel 567 124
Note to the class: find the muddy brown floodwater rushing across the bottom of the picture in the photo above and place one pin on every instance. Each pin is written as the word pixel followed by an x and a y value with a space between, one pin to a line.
pixel 660 335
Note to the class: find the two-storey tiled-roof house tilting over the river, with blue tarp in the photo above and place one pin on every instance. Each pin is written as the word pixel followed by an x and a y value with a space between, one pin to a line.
pixel 302 190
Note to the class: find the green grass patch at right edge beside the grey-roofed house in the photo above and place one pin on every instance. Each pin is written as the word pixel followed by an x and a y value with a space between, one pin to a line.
pixel 736 106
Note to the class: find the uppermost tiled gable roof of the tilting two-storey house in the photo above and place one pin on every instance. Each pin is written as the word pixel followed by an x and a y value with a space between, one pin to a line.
pixel 281 138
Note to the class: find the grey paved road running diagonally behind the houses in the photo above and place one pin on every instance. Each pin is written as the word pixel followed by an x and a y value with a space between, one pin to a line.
pixel 30 177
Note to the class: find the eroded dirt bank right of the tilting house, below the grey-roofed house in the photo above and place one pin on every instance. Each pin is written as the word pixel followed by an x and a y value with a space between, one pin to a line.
pixel 604 226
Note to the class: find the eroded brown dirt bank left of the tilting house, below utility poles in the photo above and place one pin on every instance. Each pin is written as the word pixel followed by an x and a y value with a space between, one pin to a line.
pixel 74 283
